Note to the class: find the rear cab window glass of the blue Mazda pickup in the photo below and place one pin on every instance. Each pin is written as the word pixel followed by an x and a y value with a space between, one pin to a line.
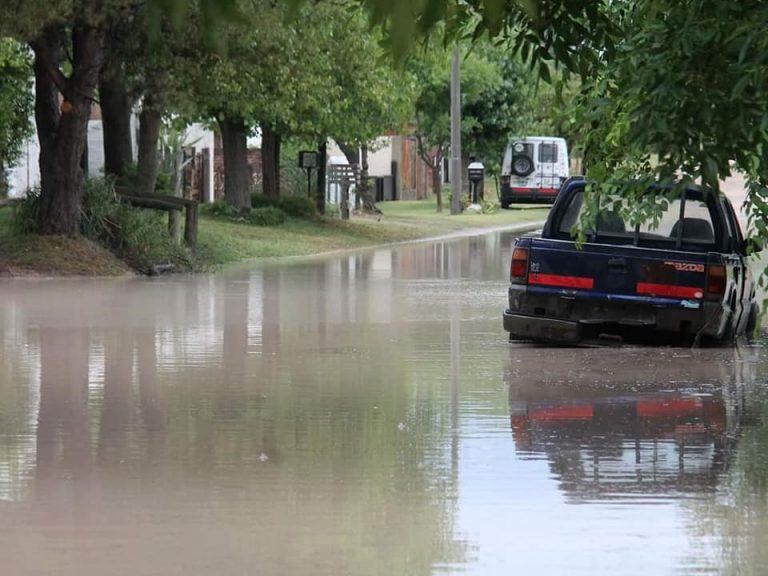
pixel 694 228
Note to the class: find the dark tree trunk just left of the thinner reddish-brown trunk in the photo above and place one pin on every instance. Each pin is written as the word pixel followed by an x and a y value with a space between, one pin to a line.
pixel 237 173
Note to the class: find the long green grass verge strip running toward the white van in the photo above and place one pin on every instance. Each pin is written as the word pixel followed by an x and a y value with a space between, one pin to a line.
pixel 222 241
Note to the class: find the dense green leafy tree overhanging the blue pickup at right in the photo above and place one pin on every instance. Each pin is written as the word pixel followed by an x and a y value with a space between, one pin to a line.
pixel 682 99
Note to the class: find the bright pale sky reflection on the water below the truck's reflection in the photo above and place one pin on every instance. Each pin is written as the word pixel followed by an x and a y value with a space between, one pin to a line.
pixel 523 522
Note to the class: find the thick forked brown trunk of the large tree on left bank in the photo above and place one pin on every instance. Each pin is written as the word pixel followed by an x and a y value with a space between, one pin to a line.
pixel 63 128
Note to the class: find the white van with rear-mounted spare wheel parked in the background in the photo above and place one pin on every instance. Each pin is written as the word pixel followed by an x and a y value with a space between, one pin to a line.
pixel 533 169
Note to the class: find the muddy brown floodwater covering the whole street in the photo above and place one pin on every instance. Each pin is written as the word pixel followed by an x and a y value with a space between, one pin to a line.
pixel 362 415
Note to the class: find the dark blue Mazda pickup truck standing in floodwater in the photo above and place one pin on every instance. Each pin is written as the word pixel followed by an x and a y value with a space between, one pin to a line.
pixel 683 277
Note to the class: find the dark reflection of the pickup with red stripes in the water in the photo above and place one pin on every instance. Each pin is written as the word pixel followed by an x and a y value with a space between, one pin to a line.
pixel 621 439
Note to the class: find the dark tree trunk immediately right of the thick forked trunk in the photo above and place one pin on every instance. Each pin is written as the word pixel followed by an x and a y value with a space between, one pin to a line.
pixel 116 107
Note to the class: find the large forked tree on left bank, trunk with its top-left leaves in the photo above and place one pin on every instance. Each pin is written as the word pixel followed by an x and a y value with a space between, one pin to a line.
pixel 71 29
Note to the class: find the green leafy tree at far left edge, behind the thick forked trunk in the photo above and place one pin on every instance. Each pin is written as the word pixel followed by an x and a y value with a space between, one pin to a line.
pixel 15 104
